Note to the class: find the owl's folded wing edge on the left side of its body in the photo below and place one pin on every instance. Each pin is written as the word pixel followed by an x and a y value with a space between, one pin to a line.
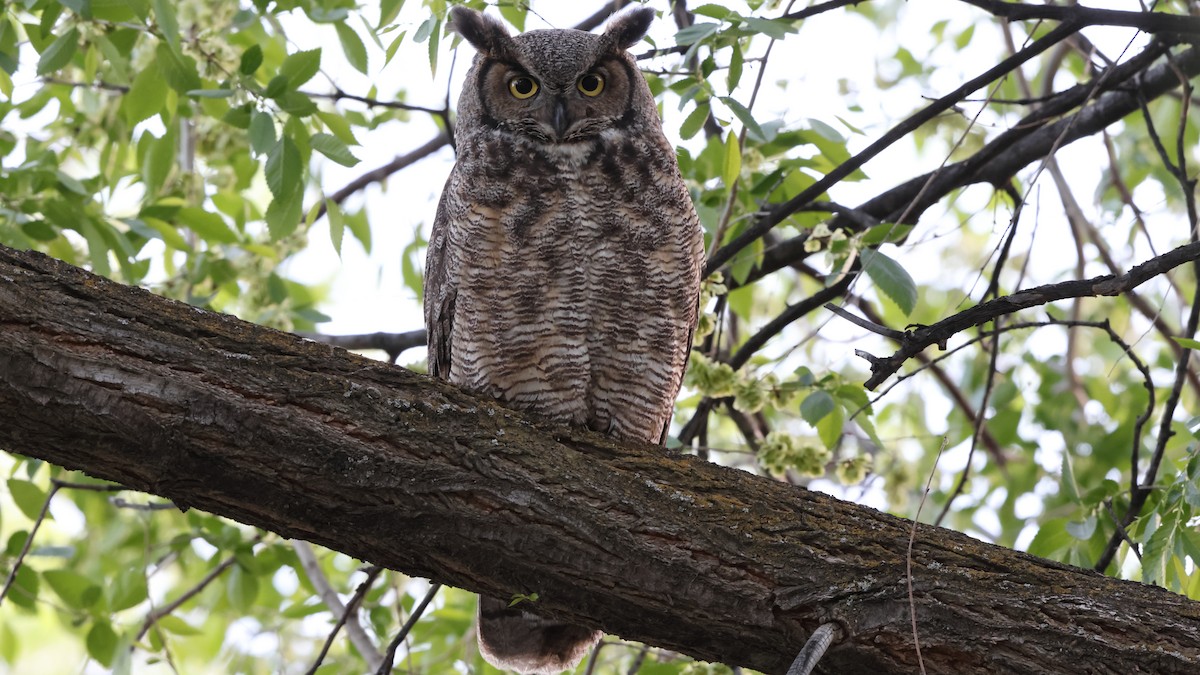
pixel 441 290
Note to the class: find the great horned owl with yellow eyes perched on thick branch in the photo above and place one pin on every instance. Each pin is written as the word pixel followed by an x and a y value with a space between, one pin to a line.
pixel 563 270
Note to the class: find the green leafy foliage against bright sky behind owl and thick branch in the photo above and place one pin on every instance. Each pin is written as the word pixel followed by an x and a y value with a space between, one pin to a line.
pixel 188 147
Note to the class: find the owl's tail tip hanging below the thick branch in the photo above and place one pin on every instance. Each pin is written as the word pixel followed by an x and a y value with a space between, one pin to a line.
pixel 527 643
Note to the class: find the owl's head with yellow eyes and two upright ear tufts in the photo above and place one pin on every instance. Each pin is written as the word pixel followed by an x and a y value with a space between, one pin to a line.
pixel 554 86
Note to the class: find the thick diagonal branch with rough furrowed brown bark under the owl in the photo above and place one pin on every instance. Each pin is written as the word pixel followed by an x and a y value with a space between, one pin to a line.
pixel 389 467
